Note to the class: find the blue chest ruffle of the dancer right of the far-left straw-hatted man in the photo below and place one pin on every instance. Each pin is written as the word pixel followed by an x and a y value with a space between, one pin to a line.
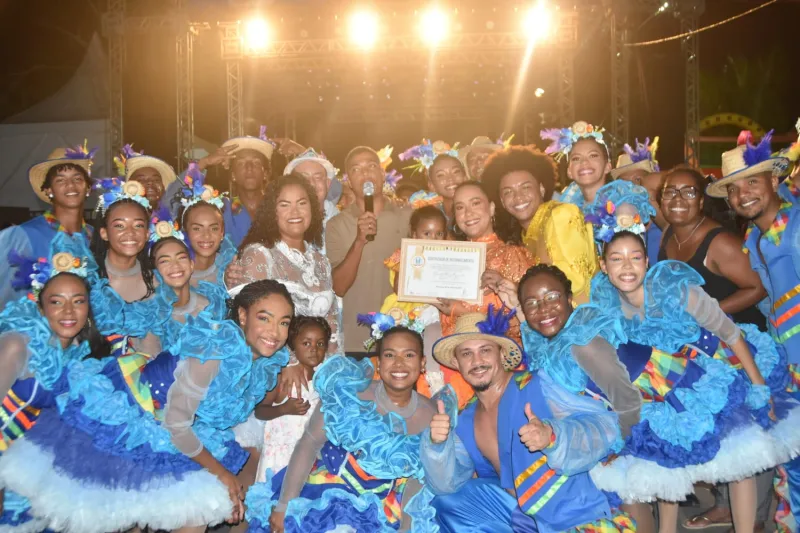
pixel 113 315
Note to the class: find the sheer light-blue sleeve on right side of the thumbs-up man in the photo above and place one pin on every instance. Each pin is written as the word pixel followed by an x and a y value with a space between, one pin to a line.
pixel 585 431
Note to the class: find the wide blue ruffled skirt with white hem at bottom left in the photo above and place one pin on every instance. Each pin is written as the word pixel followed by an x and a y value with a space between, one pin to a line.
pixel 104 463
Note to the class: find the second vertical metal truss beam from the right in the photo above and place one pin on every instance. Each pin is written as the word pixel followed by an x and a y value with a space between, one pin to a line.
pixel 620 80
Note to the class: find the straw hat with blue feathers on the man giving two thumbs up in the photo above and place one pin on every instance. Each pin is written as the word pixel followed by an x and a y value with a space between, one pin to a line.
pixel 473 326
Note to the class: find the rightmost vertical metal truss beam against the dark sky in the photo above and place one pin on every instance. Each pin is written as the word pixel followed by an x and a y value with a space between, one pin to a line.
pixel 691 49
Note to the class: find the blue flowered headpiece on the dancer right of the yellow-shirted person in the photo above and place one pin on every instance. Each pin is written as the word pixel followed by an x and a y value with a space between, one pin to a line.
pixel 603 212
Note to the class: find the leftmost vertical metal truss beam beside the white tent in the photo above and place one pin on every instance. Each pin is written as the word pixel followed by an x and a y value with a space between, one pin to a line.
pixel 112 28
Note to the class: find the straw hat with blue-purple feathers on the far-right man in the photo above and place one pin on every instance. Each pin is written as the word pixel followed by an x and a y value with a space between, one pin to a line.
pixel 744 161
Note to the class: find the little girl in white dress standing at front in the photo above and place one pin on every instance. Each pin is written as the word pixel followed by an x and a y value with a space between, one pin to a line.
pixel 285 417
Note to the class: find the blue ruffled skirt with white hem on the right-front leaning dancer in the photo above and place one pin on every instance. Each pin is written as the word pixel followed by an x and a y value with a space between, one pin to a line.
pixel 703 430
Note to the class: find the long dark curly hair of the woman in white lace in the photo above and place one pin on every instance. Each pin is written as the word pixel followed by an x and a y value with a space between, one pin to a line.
pixel 264 229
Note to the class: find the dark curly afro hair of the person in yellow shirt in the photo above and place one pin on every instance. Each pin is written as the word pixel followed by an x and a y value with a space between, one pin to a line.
pixel 516 158
